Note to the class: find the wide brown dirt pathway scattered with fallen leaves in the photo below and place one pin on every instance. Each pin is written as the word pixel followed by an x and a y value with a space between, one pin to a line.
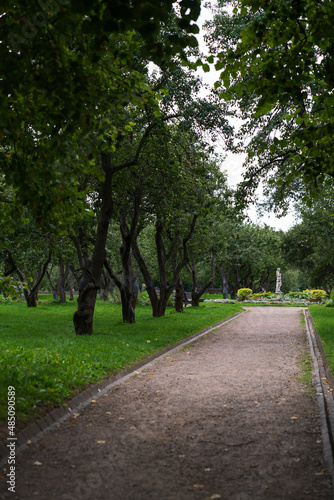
pixel 225 418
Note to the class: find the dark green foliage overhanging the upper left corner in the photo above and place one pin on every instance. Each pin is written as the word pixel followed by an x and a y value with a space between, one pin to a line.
pixel 71 70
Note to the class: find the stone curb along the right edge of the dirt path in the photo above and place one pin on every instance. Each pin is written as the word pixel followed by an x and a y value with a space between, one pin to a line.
pixel 324 383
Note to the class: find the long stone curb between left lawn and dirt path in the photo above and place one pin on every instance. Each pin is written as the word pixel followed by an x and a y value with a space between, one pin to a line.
pixel 53 419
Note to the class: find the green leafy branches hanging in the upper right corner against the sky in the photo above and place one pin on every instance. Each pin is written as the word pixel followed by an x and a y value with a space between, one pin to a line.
pixel 278 67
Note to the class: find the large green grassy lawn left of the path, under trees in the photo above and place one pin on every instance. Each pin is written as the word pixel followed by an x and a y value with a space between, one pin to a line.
pixel 47 363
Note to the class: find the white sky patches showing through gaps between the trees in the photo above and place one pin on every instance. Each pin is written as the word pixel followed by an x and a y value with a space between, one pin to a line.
pixel 233 163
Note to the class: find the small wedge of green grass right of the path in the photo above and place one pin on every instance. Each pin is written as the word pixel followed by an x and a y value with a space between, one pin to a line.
pixel 323 318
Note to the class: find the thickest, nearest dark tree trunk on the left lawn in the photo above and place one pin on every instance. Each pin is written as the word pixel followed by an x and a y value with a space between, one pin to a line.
pixel 83 317
